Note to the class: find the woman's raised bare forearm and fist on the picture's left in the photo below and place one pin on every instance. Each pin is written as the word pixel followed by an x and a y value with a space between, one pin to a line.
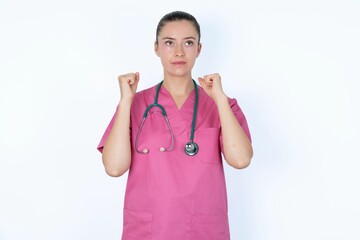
pixel 116 154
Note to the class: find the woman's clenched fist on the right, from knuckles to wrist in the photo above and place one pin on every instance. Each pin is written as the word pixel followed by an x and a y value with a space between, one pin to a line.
pixel 211 83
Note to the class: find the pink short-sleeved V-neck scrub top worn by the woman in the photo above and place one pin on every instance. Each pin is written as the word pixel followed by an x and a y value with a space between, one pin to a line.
pixel 170 195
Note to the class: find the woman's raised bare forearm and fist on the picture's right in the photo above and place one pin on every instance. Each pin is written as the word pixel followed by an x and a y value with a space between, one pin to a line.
pixel 237 147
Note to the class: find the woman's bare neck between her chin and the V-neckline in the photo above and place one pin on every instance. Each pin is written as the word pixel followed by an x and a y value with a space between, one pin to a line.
pixel 179 86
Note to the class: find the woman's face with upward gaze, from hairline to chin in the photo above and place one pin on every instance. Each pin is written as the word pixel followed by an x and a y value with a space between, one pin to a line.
pixel 178 47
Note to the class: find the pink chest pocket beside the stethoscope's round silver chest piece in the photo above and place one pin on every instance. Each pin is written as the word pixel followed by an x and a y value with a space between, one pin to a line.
pixel 208 140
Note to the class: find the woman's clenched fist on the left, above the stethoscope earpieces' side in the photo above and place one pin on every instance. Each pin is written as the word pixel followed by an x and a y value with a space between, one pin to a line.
pixel 128 84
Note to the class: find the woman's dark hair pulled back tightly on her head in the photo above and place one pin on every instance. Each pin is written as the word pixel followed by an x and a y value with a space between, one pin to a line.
pixel 177 16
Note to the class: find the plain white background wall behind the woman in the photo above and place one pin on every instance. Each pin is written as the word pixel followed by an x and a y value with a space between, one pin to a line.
pixel 293 66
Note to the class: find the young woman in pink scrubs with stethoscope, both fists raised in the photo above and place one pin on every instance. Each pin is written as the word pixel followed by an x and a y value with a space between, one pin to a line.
pixel 170 137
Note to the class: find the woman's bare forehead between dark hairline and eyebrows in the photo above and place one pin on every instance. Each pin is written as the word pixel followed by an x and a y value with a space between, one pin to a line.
pixel 179 29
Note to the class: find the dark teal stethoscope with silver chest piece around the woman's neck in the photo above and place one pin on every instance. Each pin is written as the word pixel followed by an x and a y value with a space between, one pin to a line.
pixel 191 148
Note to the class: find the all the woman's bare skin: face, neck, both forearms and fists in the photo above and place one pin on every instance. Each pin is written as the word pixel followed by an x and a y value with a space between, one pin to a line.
pixel 177 46
